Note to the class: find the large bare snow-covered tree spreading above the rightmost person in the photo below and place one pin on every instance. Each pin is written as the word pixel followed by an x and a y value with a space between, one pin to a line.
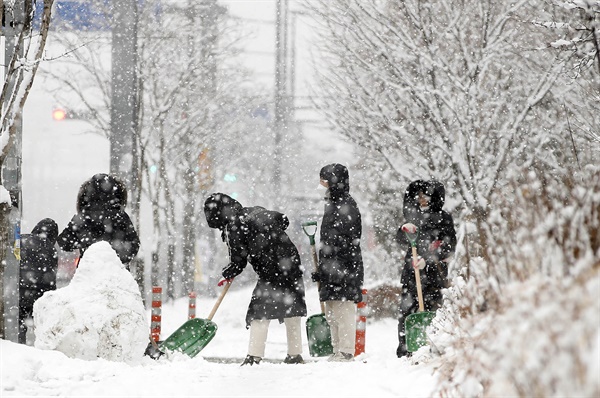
pixel 438 89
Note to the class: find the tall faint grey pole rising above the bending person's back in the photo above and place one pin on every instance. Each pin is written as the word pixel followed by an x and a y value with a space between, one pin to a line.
pixel 280 124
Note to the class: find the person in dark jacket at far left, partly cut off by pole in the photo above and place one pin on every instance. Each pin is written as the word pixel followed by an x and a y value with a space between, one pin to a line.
pixel 37 274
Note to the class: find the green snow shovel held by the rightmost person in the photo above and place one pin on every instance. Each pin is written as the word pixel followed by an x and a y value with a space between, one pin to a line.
pixel 415 325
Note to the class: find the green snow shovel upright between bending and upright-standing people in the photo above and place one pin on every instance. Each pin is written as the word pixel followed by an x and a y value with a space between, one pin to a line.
pixel 317 328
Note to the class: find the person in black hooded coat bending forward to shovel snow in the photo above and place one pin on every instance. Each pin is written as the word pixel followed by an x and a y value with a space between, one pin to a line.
pixel 257 235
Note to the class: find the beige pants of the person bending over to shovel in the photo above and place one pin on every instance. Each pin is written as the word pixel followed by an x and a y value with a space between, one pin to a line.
pixel 259 329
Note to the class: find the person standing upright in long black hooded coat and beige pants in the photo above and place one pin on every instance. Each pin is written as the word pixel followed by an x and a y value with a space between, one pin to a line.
pixel 341 270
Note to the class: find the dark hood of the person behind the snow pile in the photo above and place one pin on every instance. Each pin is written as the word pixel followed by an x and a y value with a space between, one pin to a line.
pixel 102 192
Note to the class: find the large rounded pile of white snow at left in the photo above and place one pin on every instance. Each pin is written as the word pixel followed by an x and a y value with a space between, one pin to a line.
pixel 100 314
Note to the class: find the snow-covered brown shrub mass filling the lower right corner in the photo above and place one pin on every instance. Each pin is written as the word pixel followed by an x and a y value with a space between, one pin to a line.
pixel 527 324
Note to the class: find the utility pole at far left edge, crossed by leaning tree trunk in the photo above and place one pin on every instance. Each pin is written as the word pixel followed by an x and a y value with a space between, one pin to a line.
pixel 11 180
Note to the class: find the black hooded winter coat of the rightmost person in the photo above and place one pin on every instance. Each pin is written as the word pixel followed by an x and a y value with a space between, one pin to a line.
pixel 434 224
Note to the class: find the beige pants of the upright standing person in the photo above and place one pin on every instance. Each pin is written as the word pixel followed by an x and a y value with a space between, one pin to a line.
pixel 341 316
